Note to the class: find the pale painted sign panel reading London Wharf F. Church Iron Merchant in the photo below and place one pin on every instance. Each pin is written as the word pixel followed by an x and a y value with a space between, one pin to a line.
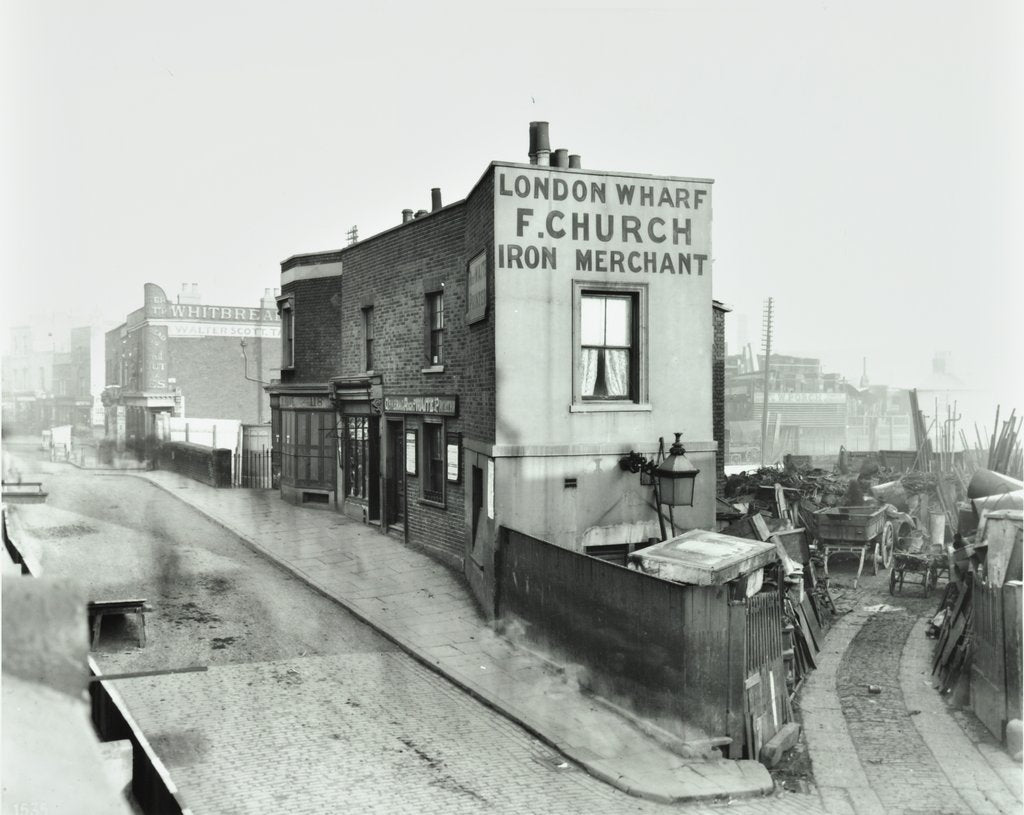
pixel 615 227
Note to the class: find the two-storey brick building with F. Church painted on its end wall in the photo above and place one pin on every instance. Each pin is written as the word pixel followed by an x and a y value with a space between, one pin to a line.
pixel 490 362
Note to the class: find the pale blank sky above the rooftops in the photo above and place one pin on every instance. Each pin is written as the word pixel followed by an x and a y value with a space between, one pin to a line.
pixel 868 156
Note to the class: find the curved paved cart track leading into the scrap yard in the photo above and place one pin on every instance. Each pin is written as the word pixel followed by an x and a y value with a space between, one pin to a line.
pixel 902 751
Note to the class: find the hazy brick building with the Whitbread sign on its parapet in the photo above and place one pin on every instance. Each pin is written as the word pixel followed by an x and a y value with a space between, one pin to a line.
pixel 187 359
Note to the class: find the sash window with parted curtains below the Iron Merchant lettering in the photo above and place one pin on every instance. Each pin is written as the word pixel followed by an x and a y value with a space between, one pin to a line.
pixel 608 347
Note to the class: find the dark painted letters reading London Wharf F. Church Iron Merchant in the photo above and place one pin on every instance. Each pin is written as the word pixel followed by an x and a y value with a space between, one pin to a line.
pixel 656 231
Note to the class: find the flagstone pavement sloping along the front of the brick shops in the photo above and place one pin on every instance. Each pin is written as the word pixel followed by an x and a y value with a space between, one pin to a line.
pixel 426 610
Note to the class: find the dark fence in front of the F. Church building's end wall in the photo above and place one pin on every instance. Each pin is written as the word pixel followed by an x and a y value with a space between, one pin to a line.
pixel 679 652
